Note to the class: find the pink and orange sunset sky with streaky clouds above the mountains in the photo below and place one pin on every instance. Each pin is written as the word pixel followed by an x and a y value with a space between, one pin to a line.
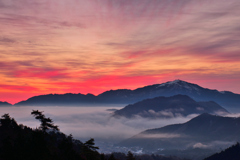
pixel 79 46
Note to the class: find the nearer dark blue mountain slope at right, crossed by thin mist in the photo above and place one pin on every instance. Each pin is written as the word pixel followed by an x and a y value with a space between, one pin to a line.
pixel 203 131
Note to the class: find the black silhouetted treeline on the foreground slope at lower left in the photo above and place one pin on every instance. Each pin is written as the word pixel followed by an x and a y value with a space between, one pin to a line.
pixel 46 142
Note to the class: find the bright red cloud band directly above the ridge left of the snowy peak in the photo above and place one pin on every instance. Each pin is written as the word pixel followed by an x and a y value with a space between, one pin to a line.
pixel 98 85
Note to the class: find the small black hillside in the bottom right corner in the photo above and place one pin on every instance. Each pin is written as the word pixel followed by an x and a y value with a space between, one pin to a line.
pixel 231 153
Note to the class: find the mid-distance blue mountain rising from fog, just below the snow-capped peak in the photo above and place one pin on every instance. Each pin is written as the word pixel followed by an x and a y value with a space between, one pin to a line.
pixel 168 107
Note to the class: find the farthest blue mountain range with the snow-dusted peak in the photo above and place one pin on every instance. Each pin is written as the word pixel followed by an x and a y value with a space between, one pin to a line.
pixel 126 96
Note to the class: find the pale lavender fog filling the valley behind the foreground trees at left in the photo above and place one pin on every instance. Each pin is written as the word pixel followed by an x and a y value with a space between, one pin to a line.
pixel 90 122
